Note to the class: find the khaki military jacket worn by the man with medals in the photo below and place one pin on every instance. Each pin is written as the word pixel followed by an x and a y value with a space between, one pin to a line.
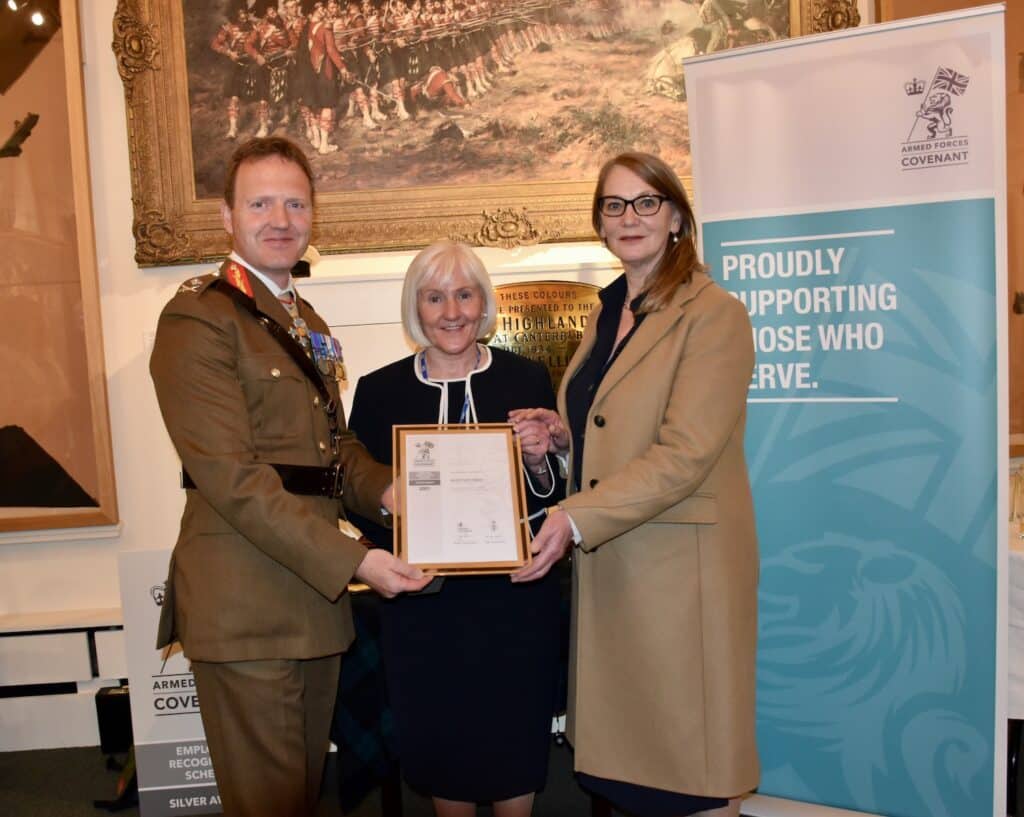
pixel 258 573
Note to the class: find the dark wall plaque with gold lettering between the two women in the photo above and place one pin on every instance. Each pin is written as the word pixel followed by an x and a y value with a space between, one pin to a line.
pixel 544 321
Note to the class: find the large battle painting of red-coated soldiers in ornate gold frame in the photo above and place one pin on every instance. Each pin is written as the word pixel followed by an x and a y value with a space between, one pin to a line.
pixel 484 120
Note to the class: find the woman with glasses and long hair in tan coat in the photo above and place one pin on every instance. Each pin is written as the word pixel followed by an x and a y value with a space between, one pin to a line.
pixel 666 560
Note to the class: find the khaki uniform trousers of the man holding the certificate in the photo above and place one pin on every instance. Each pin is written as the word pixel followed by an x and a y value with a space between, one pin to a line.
pixel 268 727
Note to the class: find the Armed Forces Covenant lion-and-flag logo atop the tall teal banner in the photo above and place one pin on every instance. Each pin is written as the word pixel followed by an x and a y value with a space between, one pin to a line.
pixel 934 140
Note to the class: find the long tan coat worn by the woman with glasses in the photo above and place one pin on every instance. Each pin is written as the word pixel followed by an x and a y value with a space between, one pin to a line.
pixel 665 583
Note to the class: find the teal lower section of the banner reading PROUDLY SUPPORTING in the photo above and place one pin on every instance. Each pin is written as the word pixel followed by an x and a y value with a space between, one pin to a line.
pixel 876 492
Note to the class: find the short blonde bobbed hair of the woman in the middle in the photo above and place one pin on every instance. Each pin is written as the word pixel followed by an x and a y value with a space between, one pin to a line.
pixel 439 264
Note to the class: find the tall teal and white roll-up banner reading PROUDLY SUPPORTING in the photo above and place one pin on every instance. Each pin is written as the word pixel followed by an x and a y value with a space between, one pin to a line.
pixel 851 193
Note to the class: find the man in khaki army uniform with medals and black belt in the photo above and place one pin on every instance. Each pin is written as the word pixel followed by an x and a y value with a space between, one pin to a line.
pixel 245 374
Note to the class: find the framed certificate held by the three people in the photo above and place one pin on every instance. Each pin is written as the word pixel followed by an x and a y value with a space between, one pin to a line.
pixel 462 499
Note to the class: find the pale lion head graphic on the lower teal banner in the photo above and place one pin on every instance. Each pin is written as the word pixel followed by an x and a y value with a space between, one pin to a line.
pixel 864 671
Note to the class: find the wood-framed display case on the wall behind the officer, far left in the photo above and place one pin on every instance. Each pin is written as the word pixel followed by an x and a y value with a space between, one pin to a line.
pixel 57 467
